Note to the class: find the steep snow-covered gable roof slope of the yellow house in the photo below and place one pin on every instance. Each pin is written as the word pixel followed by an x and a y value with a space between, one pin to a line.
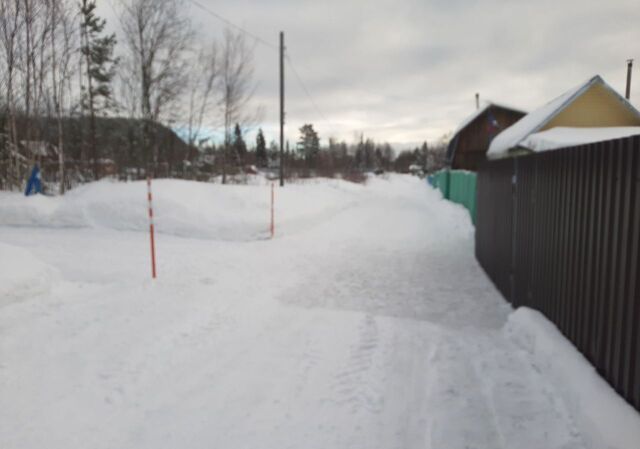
pixel 513 136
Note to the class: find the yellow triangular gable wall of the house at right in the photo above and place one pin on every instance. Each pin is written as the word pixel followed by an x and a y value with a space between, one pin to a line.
pixel 596 107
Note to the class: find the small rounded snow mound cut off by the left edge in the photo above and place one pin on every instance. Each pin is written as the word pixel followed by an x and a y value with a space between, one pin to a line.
pixel 21 274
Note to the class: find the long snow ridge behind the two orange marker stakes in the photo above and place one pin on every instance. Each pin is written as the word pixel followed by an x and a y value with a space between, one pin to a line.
pixel 183 208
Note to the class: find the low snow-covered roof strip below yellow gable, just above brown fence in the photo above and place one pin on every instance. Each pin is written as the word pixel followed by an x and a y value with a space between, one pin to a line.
pixel 561 137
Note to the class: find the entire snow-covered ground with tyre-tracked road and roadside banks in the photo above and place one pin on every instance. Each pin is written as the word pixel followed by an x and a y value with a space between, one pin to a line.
pixel 366 323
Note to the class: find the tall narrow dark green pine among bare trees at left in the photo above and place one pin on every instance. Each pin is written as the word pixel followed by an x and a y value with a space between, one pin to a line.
pixel 100 65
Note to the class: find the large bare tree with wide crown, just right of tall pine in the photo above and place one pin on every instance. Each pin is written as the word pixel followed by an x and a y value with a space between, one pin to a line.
pixel 157 35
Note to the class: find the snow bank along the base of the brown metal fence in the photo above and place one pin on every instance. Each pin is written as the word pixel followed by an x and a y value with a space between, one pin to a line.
pixel 602 414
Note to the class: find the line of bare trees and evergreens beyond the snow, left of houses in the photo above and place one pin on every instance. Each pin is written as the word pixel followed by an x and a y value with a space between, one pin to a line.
pixel 86 103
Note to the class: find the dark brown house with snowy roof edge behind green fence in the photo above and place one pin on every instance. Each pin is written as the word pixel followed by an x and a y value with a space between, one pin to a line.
pixel 470 141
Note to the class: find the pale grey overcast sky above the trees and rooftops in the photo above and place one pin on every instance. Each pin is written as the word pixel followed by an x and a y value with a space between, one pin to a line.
pixel 406 71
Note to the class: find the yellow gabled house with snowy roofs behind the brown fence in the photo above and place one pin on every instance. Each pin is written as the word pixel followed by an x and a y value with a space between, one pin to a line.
pixel 590 112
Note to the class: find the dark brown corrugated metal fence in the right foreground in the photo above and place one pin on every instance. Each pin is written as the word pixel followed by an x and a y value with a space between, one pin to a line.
pixel 560 232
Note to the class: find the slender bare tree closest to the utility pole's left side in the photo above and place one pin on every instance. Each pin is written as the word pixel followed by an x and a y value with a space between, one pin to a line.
pixel 235 83
